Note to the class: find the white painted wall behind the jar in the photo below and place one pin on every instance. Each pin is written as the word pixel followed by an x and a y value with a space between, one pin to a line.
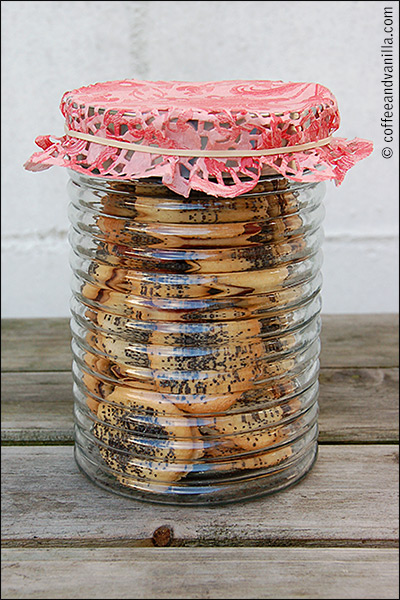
pixel 50 47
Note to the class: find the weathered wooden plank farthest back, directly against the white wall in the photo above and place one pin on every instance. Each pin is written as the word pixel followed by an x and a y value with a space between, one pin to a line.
pixel 347 341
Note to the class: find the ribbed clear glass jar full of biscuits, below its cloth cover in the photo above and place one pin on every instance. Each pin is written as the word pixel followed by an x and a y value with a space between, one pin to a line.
pixel 195 327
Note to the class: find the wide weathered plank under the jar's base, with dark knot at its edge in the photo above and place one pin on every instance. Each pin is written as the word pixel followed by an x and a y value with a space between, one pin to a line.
pixel 350 496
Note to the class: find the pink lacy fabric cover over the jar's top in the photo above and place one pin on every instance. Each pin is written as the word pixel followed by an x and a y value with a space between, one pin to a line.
pixel 224 115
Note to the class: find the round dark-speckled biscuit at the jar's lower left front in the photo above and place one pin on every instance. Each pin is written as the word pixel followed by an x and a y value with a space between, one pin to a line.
pixel 145 437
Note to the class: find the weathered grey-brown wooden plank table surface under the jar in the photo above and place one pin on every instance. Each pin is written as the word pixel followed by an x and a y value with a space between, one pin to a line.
pixel 333 535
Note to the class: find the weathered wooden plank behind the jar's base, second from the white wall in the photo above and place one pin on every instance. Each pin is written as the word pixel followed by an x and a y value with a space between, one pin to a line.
pixel 356 405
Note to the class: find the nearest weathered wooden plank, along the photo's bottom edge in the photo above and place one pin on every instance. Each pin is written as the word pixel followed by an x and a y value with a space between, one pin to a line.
pixel 200 573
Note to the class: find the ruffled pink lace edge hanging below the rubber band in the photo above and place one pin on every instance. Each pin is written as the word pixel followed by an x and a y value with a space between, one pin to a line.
pixel 217 177
